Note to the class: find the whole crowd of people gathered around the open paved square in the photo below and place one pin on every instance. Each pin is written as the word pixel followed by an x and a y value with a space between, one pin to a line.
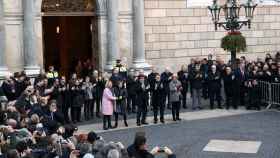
pixel 35 113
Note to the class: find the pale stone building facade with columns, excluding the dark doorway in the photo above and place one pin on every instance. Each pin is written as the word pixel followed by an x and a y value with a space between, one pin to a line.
pixel 145 32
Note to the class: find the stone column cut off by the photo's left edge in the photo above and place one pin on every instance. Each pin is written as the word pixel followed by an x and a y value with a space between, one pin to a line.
pixel 3 66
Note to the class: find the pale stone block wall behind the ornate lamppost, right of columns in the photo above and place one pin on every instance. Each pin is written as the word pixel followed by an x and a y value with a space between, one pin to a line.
pixel 174 33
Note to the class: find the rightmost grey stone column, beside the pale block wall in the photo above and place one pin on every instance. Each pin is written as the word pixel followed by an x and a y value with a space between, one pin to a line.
pixel 139 61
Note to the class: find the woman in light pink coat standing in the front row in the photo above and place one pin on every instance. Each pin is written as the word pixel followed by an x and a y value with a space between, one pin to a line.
pixel 108 102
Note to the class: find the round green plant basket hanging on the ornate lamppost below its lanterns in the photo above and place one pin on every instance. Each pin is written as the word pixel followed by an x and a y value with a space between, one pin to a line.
pixel 234 41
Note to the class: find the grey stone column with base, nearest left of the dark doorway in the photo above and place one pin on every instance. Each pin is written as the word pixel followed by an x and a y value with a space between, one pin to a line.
pixel 29 38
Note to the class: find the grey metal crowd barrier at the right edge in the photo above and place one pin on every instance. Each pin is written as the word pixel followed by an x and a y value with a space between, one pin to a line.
pixel 270 93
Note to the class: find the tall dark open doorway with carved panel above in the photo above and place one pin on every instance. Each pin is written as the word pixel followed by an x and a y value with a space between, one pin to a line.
pixel 70 34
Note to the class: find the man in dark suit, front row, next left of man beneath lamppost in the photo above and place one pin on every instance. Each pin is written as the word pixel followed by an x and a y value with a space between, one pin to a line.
pixel 214 82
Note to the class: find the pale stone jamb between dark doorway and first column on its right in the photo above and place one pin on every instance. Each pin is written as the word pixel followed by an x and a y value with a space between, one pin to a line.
pixel 101 14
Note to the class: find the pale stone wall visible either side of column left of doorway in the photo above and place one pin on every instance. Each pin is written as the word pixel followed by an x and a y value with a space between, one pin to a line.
pixel 14 34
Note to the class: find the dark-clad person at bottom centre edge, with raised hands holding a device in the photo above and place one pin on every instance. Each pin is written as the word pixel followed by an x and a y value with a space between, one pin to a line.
pixel 139 149
